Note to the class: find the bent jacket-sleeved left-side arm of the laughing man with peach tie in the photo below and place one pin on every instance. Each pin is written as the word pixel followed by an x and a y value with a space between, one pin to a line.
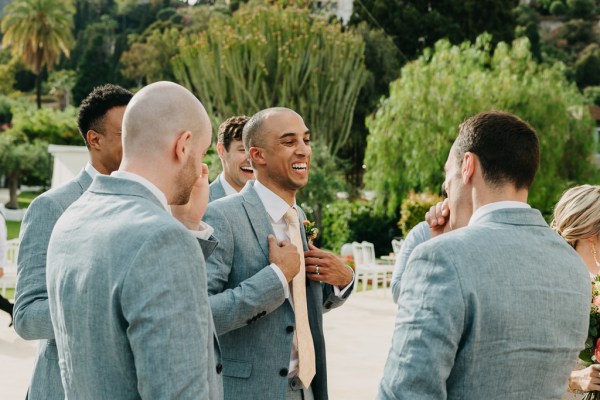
pixel 232 308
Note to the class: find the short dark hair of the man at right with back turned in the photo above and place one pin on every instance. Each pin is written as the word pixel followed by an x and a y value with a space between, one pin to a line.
pixel 508 148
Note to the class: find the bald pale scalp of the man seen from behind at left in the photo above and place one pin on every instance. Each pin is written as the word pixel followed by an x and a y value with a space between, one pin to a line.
pixel 157 115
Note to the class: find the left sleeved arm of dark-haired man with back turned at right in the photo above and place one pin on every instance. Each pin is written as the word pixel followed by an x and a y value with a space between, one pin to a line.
pixel 429 327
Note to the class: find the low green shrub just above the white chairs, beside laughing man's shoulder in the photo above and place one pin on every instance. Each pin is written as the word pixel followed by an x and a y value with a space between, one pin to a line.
pixel 348 221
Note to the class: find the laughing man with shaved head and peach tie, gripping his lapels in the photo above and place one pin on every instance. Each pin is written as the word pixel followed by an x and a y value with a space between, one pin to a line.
pixel 268 298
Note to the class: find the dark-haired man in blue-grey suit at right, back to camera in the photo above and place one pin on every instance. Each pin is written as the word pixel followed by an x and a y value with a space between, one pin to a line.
pixel 498 309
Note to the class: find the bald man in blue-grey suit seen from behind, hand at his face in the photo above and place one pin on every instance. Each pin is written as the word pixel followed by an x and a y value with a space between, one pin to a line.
pixel 127 281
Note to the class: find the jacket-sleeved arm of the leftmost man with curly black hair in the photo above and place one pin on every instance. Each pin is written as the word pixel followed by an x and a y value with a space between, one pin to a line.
pixel 32 313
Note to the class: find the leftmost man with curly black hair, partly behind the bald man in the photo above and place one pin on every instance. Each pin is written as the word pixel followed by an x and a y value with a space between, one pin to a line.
pixel 99 122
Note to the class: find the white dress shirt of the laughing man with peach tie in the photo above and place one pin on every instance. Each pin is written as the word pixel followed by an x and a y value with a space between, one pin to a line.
pixel 276 208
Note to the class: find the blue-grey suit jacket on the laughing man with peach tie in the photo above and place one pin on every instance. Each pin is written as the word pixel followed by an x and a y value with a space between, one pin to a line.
pixel 254 321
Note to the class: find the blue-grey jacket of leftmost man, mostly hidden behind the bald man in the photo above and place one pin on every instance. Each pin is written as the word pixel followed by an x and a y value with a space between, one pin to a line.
pixel 31 313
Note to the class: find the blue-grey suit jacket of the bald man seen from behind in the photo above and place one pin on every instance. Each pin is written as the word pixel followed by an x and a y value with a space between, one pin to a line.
pixel 128 298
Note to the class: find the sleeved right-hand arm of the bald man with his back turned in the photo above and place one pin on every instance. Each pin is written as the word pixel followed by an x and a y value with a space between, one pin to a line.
pixel 164 300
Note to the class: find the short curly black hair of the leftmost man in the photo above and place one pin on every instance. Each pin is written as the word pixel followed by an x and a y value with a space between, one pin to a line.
pixel 94 107
